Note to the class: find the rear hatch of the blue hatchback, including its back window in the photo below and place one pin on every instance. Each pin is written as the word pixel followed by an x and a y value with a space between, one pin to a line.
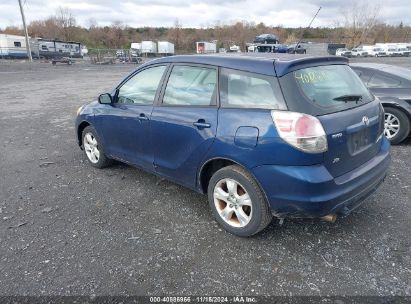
pixel 351 117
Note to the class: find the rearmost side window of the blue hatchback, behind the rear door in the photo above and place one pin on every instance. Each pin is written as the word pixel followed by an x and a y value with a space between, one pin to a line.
pixel 240 89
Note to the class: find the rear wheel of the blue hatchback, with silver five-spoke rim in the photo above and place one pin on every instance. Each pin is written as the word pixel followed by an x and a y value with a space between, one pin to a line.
pixel 254 213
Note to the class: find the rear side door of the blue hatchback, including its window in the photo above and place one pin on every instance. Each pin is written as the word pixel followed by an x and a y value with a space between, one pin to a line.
pixel 184 124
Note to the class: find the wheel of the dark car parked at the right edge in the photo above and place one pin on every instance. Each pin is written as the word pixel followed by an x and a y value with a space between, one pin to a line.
pixel 396 117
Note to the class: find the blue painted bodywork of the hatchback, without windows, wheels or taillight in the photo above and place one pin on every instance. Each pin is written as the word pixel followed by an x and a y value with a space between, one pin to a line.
pixel 295 183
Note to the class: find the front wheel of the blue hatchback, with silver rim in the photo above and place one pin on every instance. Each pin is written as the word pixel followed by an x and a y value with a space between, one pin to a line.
pixel 93 148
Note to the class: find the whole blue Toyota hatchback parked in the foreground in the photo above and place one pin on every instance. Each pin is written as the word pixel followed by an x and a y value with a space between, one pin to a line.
pixel 314 148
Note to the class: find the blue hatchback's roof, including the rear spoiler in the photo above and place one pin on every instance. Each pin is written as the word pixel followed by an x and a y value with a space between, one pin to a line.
pixel 256 62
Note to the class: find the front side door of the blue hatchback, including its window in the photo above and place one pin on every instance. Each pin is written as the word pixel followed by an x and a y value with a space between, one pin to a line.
pixel 125 124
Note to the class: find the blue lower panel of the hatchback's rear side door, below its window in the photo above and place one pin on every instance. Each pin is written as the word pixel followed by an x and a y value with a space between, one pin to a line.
pixel 179 145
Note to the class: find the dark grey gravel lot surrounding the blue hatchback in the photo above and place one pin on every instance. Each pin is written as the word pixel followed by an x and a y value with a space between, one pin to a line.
pixel 69 229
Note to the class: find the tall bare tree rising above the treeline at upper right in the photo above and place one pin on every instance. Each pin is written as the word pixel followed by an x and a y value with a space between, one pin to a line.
pixel 360 18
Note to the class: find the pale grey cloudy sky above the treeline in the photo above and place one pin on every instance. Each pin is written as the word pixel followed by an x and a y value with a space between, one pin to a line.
pixel 197 13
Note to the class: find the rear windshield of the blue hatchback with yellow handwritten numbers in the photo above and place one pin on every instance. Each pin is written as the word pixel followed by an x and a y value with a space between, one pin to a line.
pixel 323 90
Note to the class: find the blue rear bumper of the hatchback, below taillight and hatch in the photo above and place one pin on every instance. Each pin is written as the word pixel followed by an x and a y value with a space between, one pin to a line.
pixel 311 191
